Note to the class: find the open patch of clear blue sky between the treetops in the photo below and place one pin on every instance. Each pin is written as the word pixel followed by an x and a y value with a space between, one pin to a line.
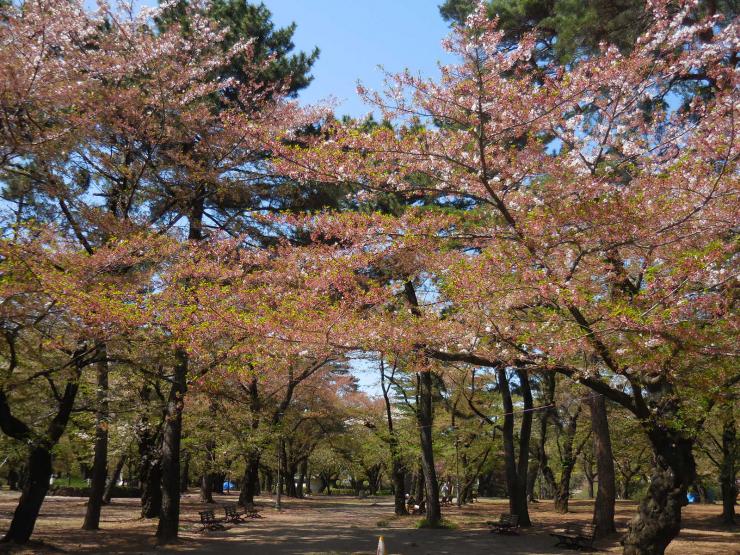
pixel 355 36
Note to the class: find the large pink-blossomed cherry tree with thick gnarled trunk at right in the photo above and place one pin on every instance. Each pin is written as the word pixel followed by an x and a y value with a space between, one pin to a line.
pixel 585 222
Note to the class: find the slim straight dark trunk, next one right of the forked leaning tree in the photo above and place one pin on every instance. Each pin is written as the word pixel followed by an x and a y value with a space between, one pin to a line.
pixel 100 461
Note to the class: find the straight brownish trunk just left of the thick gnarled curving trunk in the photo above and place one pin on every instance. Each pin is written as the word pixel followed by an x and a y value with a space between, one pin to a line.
pixel 606 493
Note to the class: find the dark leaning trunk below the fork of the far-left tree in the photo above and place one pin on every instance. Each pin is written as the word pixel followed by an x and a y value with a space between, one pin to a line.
pixel 34 492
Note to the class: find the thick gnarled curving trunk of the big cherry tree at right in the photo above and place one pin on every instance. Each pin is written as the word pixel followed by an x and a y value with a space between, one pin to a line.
pixel 658 520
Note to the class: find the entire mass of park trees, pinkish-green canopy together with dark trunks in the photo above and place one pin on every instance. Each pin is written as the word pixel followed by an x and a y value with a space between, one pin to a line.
pixel 534 253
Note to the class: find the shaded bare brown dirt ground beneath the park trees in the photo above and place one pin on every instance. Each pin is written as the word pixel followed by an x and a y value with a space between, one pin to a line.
pixel 343 525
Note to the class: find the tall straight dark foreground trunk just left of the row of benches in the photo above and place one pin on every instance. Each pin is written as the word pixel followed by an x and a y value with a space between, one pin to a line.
pixel 169 518
